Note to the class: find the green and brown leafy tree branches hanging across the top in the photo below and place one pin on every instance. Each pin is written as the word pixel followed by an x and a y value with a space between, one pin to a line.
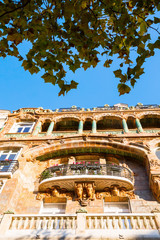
pixel 75 33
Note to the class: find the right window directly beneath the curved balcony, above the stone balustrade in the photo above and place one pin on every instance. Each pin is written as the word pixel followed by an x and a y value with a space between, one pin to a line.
pixel 116 207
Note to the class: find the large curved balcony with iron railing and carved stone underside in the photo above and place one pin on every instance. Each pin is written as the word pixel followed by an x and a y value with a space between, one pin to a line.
pixel 103 175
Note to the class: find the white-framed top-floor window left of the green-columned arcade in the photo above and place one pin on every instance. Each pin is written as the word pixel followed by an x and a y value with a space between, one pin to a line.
pixel 22 127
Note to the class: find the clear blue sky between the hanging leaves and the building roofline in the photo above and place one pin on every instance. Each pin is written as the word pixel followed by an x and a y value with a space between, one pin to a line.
pixel 96 87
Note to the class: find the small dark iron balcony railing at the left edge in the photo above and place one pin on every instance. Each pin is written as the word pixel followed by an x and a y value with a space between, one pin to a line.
pixel 9 166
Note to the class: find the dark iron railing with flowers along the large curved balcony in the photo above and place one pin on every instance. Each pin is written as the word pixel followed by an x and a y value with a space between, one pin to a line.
pixel 87 169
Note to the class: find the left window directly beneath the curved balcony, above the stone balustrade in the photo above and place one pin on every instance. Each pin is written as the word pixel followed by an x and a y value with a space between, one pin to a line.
pixel 53 208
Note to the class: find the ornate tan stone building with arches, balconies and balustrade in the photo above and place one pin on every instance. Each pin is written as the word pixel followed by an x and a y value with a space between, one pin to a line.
pixel 80 173
